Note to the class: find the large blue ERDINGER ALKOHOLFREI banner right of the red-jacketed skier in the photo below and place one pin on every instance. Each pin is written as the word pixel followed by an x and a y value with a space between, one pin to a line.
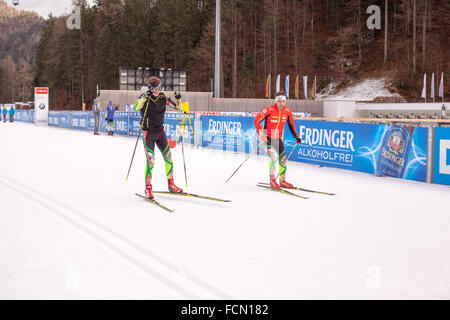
pixel 393 151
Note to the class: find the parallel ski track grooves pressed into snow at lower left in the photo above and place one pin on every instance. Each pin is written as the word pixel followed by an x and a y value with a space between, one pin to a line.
pixel 65 213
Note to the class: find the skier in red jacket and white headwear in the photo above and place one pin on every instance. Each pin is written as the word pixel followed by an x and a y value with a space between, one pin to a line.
pixel 275 117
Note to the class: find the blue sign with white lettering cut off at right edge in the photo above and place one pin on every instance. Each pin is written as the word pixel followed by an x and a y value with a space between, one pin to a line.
pixel 441 172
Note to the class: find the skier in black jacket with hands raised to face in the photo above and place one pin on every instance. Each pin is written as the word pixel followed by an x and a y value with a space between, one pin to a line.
pixel 152 106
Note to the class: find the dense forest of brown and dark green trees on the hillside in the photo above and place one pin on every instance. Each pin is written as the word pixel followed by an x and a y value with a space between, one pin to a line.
pixel 324 38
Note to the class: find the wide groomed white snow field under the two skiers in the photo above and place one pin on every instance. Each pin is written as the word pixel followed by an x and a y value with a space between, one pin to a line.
pixel 72 228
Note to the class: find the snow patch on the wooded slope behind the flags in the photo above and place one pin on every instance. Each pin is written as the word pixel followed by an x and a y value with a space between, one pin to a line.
pixel 366 90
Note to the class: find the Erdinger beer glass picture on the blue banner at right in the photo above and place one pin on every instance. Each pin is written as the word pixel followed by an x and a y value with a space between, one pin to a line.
pixel 394 151
